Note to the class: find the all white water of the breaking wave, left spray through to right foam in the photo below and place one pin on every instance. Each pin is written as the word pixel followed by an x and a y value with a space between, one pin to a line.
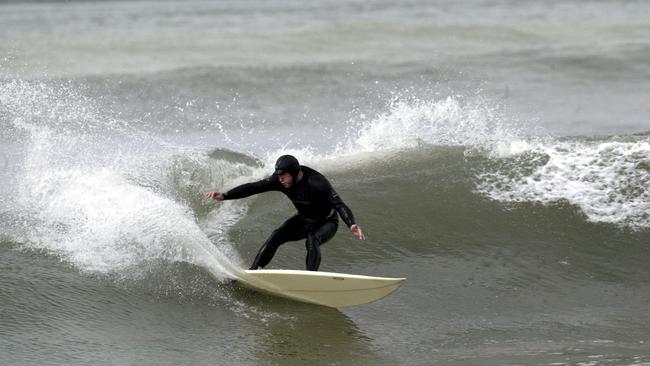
pixel 109 198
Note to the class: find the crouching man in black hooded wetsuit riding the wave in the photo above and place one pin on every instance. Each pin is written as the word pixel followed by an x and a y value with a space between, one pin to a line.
pixel 314 198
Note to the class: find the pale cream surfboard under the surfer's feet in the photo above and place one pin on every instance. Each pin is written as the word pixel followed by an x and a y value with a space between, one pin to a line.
pixel 331 289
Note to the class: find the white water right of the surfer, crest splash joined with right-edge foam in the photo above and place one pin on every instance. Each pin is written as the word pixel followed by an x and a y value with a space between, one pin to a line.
pixel 606 178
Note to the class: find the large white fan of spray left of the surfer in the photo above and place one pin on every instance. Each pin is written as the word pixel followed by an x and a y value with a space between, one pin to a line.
pixel 98 193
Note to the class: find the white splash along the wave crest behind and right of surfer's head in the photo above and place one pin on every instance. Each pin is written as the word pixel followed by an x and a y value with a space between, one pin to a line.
pixel 409 123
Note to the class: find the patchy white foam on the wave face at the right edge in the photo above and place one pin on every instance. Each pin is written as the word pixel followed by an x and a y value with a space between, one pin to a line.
pixel 609 181
